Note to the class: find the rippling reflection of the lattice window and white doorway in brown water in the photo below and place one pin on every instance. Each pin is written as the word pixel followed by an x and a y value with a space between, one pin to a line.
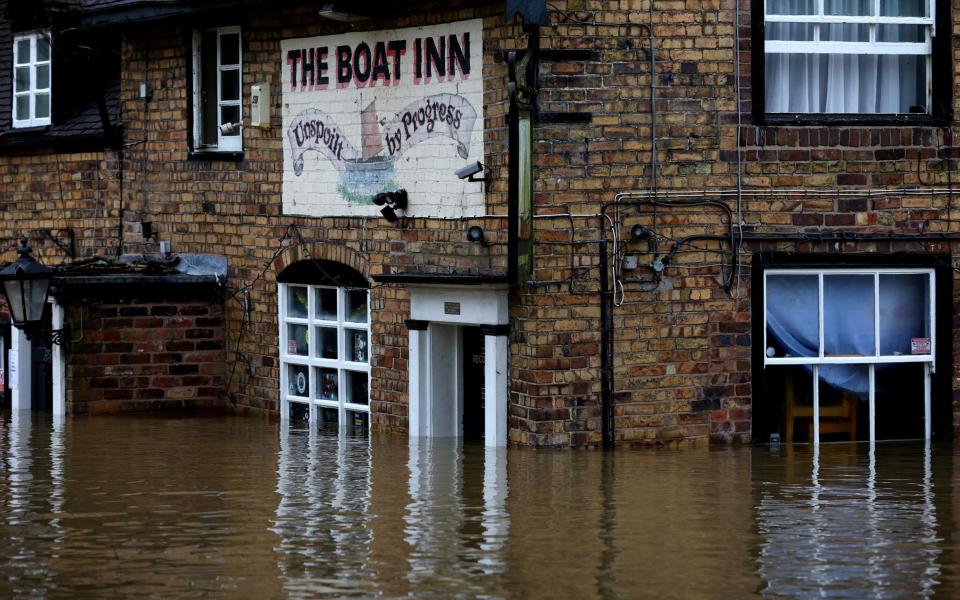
pixel 353 518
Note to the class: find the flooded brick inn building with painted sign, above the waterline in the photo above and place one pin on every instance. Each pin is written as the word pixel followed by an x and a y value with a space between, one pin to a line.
pixel 560 224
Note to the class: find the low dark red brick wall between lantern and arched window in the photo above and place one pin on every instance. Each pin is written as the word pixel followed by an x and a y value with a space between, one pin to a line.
pixel 142 355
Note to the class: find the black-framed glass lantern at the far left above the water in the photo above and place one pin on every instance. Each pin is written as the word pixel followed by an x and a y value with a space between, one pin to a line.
pixel 26 284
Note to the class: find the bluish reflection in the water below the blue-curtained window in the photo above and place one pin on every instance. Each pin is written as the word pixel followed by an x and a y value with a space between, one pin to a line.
pixel 864 524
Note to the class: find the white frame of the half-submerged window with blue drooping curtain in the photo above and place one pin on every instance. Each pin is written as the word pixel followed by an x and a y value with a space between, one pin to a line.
pixel 928 360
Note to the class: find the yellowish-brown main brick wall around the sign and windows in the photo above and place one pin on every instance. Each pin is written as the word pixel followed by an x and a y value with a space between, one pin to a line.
pixel 682 353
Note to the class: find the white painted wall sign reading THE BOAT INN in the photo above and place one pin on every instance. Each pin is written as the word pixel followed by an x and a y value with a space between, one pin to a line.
pixel 376 111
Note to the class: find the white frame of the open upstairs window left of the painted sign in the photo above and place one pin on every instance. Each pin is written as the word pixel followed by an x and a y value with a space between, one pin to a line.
pixel 225 143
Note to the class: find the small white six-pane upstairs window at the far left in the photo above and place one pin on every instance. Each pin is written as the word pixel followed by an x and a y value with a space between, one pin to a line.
pixel 31 80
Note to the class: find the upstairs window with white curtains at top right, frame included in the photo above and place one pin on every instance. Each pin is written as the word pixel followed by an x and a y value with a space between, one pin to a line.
pixel 848 56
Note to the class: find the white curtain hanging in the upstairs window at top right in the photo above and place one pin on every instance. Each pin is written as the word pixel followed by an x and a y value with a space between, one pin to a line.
pixel 845 83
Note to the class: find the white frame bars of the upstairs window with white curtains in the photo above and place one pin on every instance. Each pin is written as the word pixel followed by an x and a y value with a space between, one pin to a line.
pixel 816 46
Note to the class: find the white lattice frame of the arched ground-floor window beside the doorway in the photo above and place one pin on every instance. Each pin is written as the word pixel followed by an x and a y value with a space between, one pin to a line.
pixel 313 362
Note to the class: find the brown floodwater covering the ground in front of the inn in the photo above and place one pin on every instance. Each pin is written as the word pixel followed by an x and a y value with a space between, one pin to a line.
pixel 242 508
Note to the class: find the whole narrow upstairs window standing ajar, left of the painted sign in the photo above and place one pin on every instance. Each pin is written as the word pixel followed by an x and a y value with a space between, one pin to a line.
pixel 216 90
